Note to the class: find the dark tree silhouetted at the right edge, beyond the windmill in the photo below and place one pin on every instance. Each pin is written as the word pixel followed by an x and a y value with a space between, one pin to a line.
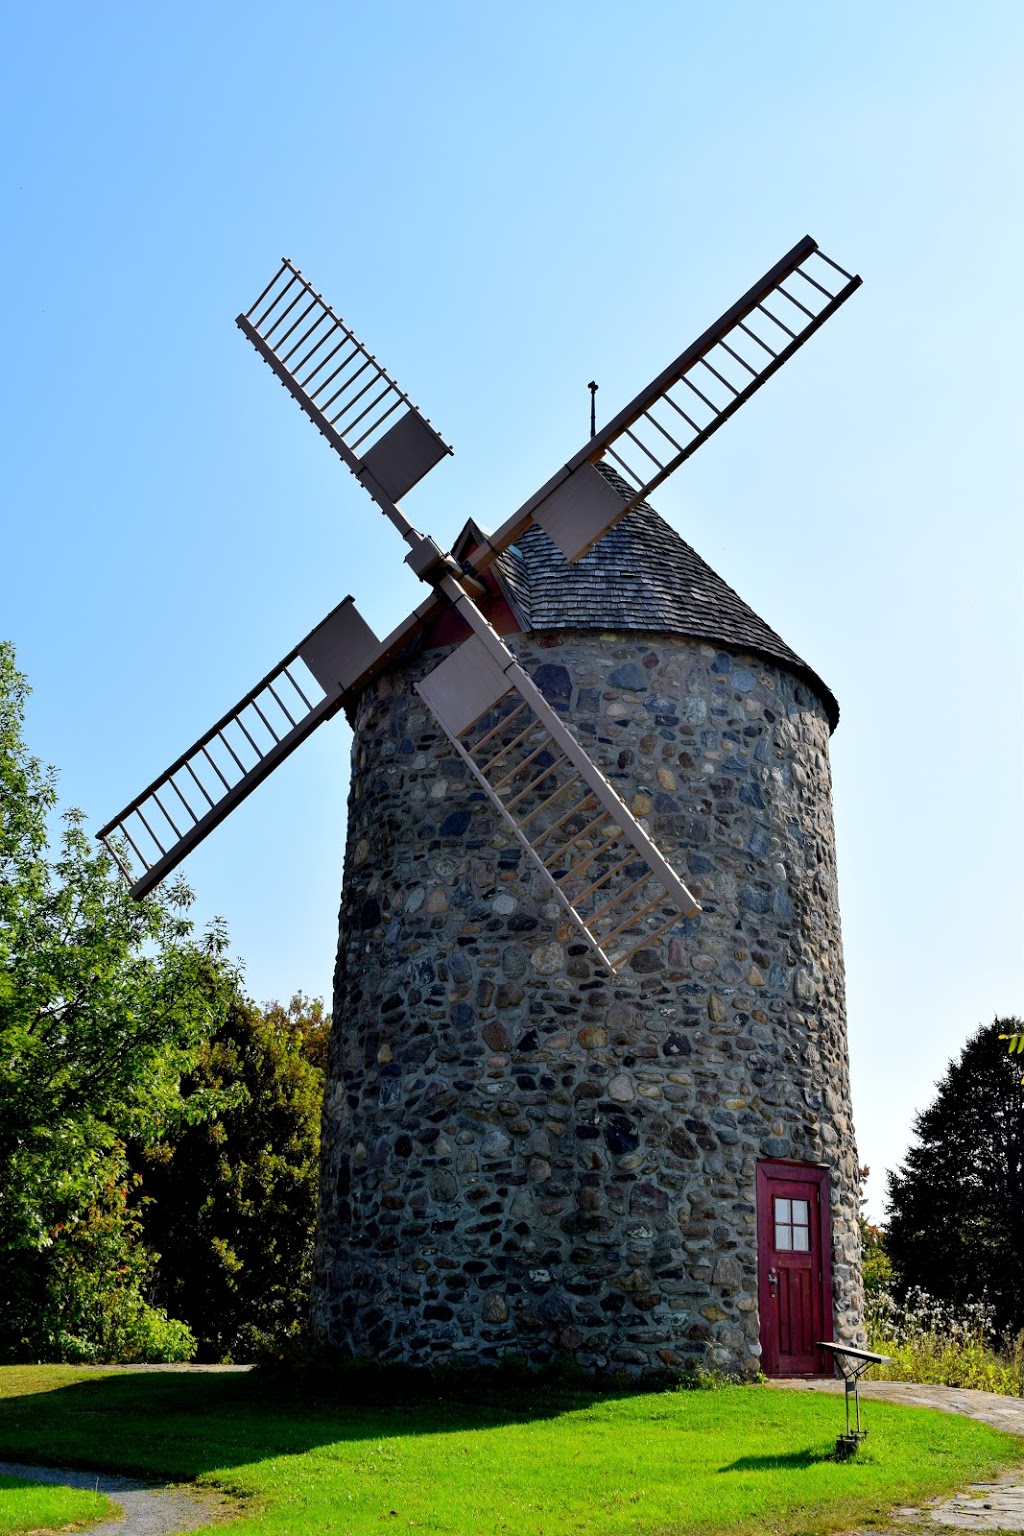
pixel 957 1205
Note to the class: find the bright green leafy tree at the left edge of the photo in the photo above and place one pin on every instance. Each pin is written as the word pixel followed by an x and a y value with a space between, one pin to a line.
pixel 104 1005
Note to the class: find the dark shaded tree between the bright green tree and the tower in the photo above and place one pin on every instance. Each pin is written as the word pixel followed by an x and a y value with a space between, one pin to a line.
pixel 230 1202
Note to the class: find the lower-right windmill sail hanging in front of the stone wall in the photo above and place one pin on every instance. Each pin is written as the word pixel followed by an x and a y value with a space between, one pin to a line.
pixel 596 859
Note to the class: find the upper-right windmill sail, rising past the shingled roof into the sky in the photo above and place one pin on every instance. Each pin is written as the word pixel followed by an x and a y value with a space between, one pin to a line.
pixel 684 406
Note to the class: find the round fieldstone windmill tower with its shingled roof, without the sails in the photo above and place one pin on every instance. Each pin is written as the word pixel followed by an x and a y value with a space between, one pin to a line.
pixel 523 1154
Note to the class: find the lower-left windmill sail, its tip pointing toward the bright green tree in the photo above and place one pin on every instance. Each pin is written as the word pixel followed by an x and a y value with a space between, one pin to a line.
pixel 187 803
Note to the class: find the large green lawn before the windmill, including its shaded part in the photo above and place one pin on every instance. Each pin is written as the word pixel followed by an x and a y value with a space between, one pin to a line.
pixel 366 1452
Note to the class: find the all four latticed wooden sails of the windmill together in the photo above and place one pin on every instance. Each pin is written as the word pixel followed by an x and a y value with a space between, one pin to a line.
pixel 598 861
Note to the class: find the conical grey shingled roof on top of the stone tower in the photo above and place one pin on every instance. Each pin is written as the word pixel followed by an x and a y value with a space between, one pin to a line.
pixel 641 577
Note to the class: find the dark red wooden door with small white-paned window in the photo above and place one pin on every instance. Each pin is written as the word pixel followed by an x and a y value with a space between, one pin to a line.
pixel 794 1250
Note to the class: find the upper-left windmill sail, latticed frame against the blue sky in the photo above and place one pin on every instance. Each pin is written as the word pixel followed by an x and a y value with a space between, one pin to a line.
pixel 383 439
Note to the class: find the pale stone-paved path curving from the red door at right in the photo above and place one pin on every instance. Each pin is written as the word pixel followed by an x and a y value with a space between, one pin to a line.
pixel 983 1506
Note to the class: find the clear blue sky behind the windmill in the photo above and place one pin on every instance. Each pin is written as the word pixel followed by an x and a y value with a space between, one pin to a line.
pixel 507 202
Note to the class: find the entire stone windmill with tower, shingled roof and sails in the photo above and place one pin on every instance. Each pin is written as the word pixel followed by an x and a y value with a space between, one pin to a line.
pixel 575 1107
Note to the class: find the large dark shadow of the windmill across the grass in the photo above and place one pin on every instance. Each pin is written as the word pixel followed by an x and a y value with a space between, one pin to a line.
pixel 183 1426
